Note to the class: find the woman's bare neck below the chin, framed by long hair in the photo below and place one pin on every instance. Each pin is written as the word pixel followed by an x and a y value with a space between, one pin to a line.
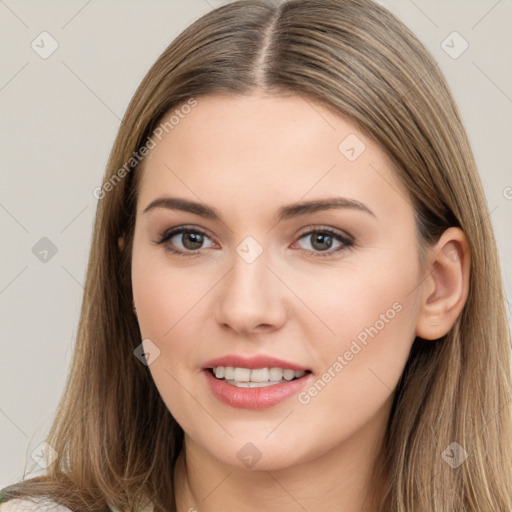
pixel 340 478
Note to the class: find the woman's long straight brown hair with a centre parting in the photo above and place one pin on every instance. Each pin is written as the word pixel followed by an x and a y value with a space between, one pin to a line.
pixel 116 440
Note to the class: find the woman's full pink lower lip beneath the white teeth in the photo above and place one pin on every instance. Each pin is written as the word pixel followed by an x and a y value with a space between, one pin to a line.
pixel 254 398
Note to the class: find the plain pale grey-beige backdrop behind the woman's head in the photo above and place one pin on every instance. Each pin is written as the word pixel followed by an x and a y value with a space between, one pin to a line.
pixel 59 117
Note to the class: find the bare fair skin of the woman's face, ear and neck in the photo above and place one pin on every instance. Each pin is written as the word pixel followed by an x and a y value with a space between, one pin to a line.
pixel 246 157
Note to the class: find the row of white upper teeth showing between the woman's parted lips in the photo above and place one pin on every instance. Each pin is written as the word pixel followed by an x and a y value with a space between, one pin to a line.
pixel 256 377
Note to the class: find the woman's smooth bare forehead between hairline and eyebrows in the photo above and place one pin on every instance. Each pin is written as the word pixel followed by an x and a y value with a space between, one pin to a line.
pixel 259 149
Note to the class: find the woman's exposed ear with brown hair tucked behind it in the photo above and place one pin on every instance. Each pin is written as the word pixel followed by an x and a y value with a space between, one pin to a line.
pixel 446 286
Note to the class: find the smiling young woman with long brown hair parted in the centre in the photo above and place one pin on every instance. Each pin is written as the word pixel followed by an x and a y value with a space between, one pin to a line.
pixel 293 299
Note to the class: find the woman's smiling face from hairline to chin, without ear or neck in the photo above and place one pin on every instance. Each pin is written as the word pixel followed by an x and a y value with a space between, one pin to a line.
pixel 265 271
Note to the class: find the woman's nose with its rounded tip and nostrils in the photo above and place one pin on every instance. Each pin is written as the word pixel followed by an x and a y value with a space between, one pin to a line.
pixel 251 298
